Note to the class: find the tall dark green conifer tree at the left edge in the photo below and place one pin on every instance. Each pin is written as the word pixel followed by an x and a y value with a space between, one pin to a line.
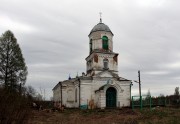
pixel 13 69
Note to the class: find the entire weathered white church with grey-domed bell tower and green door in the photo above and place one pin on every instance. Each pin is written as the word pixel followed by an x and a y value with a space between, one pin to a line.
pixel 101 86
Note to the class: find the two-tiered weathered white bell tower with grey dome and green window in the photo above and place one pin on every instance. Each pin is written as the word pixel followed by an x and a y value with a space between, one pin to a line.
pixel 101 56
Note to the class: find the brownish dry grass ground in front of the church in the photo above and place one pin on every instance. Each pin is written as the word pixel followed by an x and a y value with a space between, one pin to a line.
pixel 108 116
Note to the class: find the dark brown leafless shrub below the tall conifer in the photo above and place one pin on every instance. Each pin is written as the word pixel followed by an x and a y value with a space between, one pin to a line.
pixel 13 107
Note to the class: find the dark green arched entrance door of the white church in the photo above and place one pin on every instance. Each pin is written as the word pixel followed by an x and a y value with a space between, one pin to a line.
pixel 111 97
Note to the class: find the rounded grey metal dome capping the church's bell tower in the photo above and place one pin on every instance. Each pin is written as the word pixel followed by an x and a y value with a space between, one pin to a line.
pixel 101 27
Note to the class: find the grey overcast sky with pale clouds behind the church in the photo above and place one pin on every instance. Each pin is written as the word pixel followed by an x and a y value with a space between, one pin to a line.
pixel 53 36
